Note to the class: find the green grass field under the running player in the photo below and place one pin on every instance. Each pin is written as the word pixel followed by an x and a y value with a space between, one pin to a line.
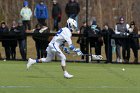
pixel 88 78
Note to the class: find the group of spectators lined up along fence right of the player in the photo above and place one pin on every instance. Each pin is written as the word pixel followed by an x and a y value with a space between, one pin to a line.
pixel 120 40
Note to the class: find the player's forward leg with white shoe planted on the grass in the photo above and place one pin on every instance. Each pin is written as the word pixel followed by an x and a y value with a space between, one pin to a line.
pixel 63 65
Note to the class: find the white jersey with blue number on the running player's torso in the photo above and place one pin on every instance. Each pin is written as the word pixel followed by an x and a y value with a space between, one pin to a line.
pixel 64 34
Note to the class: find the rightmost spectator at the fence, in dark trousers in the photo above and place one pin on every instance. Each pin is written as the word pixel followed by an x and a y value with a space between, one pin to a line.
pixel 134 41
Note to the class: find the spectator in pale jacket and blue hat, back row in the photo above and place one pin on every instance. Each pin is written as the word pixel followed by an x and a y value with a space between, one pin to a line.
pixel 26 14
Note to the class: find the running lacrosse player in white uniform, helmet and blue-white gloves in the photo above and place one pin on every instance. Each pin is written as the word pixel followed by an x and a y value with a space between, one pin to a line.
pixel 63 35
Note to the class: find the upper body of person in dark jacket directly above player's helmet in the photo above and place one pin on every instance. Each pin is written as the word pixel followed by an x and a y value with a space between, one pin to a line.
pixel 72 9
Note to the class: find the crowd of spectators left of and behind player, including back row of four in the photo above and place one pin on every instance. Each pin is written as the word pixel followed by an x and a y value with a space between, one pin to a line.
pixel 15 35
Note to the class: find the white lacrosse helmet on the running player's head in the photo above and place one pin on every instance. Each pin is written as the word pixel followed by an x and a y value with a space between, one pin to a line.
pixel 71 24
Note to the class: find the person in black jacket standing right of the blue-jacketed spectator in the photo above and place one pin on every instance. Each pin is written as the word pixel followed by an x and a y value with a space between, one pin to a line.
pixel 56 15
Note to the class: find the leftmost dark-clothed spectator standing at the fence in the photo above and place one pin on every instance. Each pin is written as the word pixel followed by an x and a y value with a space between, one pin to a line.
pixel 4 30
